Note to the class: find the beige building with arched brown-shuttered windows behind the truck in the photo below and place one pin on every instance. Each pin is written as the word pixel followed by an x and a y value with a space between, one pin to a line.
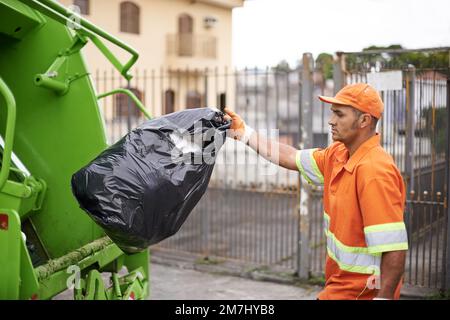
pixel 179 41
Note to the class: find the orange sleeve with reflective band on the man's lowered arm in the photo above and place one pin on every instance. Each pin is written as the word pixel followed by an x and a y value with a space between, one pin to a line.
pixel 382 206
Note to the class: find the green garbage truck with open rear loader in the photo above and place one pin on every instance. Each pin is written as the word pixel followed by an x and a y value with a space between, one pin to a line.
pixel 50 126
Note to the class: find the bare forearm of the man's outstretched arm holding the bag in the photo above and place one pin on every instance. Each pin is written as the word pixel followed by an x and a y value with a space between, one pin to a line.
pixel 273 151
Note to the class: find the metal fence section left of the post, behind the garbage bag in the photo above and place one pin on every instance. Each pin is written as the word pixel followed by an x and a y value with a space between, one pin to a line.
pixel 249 212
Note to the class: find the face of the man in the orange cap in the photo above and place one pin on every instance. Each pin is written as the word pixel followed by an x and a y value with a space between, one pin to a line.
pixel 344 123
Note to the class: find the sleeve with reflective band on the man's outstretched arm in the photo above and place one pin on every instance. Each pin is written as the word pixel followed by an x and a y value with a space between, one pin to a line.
pixel 310 163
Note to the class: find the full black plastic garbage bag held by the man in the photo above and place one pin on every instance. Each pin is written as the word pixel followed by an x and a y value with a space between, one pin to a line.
pixel 141 189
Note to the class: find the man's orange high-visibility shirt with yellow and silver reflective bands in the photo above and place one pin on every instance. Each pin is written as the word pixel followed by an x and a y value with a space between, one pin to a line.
pixel 364 199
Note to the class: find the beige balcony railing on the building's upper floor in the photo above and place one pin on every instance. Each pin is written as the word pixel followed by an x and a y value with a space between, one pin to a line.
pixel 192 45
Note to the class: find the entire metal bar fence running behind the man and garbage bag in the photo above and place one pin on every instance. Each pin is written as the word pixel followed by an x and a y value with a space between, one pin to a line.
pixel 250 211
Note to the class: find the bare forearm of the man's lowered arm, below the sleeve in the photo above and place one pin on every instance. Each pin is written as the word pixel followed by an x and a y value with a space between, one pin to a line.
pixel 392 269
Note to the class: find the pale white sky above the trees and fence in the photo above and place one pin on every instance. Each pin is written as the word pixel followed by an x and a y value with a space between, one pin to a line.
pixel 268 31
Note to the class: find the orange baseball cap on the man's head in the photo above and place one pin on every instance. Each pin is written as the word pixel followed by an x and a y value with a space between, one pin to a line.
pixel 360 96
